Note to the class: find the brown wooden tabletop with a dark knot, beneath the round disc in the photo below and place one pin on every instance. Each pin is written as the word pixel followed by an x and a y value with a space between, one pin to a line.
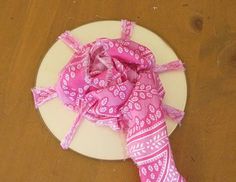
pixel 203 33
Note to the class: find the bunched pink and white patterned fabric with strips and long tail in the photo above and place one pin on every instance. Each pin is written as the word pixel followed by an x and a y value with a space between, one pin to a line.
pixel 115 83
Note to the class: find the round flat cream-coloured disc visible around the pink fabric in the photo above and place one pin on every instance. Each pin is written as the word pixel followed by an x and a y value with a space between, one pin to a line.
pixel 91 140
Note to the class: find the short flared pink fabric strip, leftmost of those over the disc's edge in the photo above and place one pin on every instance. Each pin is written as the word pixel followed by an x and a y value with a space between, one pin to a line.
pixel 42 95
